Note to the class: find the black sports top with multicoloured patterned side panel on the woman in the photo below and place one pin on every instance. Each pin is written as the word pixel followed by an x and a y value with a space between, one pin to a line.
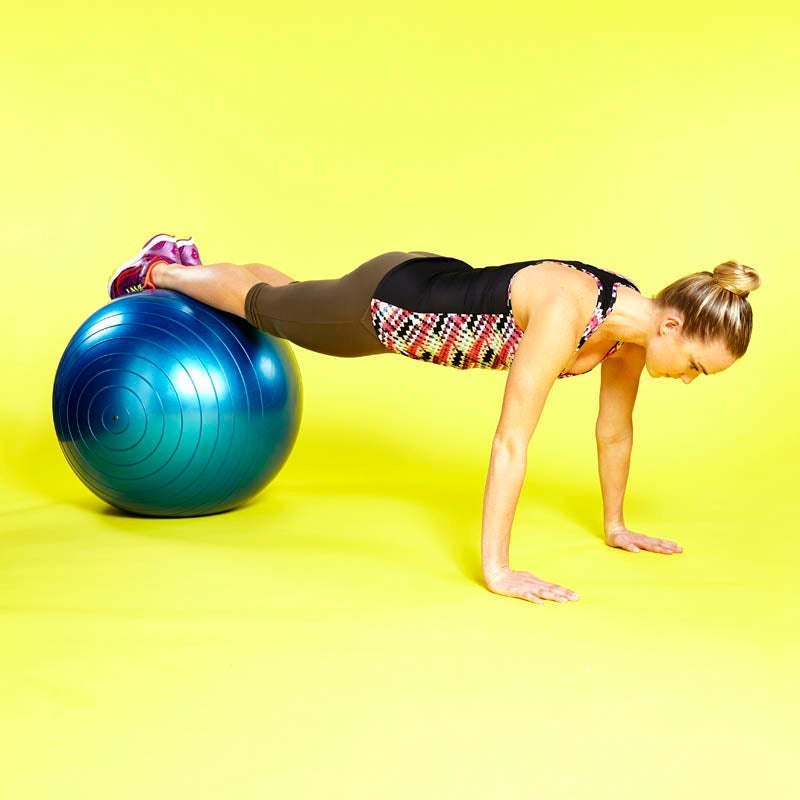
pixel 444 311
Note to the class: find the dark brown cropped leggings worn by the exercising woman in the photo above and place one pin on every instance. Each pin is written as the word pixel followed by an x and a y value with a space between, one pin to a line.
pixel 330 316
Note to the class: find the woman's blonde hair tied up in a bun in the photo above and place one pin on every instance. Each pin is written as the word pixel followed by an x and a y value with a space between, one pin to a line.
pixel 714 304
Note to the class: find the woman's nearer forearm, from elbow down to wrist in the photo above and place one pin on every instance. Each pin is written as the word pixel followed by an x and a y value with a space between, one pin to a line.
pixel 503 486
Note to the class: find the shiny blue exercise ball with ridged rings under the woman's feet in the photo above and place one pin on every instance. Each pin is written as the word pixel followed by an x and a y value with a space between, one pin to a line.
pixel 165 406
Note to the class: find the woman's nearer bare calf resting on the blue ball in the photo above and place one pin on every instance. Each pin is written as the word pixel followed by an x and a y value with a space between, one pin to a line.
pixel 223 286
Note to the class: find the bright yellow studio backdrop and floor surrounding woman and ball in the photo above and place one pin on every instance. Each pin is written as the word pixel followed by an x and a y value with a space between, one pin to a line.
pixel 334 639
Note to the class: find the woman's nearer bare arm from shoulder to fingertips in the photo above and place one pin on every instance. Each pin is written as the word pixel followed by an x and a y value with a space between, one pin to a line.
pixel 546 347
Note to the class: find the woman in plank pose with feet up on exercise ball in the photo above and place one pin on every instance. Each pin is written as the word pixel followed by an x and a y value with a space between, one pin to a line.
pixel 442 310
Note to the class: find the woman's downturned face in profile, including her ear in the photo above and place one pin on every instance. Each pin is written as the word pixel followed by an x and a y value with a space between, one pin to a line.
pixel 671 355
